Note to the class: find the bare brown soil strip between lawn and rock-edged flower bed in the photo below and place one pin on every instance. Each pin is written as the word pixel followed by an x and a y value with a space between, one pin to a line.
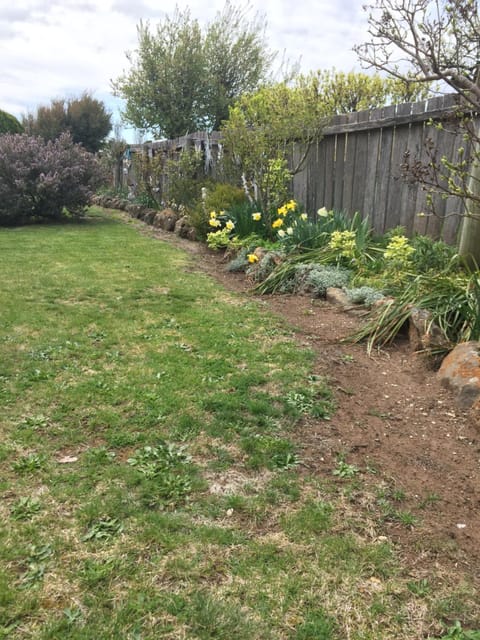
pixel 392 418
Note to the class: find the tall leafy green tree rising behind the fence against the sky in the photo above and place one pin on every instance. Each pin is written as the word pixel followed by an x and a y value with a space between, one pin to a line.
pixel 183 79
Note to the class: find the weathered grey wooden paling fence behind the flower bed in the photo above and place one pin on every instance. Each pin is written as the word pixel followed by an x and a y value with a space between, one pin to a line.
pixel 356 166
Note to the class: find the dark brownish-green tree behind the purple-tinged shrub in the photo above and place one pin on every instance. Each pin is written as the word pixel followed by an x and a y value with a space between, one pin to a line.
pixel 85 118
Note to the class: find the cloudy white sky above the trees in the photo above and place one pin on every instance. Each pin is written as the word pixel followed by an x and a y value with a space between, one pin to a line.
pixel 53 49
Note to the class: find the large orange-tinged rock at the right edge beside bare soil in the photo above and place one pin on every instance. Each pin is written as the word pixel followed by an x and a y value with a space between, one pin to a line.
pixel 460 371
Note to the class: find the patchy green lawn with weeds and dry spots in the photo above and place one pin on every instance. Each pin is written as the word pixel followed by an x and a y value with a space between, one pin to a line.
pixel 152 485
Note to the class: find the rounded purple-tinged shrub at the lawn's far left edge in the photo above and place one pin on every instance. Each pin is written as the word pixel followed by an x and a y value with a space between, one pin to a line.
pixel 44 180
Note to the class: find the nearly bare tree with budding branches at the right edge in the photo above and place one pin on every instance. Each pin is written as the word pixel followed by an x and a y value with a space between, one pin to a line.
pixel 437 41
